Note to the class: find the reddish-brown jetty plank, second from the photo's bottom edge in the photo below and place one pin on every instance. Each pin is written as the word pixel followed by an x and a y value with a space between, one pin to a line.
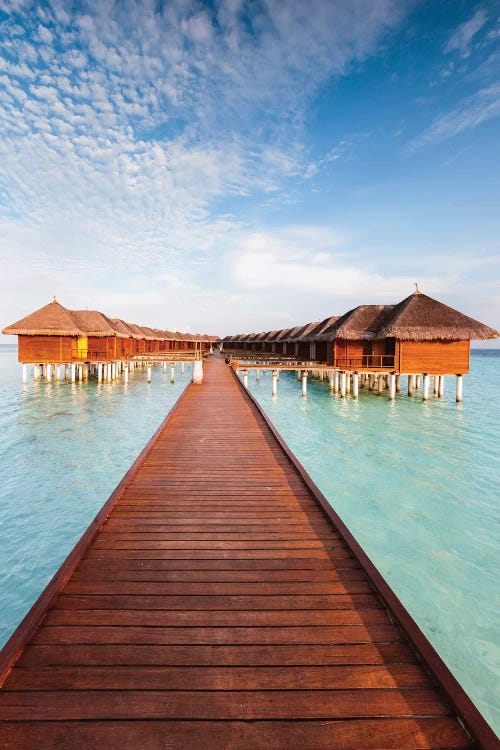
pixel 243 705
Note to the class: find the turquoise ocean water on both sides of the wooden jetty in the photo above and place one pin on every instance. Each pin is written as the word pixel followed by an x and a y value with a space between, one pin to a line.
pixel 418 485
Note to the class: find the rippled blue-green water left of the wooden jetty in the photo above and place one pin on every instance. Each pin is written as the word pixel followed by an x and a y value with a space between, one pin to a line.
pixel 63 449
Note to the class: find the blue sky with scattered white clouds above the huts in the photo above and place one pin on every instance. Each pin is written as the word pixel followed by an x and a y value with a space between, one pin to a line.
pixel 240 166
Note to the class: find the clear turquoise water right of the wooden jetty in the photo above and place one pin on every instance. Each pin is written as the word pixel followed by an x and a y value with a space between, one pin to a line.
pixel 418 485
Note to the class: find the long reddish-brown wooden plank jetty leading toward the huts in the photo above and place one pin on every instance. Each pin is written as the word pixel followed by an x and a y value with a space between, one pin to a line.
pixel 217 601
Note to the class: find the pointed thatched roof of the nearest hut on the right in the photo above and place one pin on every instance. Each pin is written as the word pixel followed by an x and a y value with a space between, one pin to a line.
pixel 421 318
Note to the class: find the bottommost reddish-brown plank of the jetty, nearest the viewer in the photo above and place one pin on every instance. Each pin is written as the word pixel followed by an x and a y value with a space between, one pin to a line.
pixel 367 734
